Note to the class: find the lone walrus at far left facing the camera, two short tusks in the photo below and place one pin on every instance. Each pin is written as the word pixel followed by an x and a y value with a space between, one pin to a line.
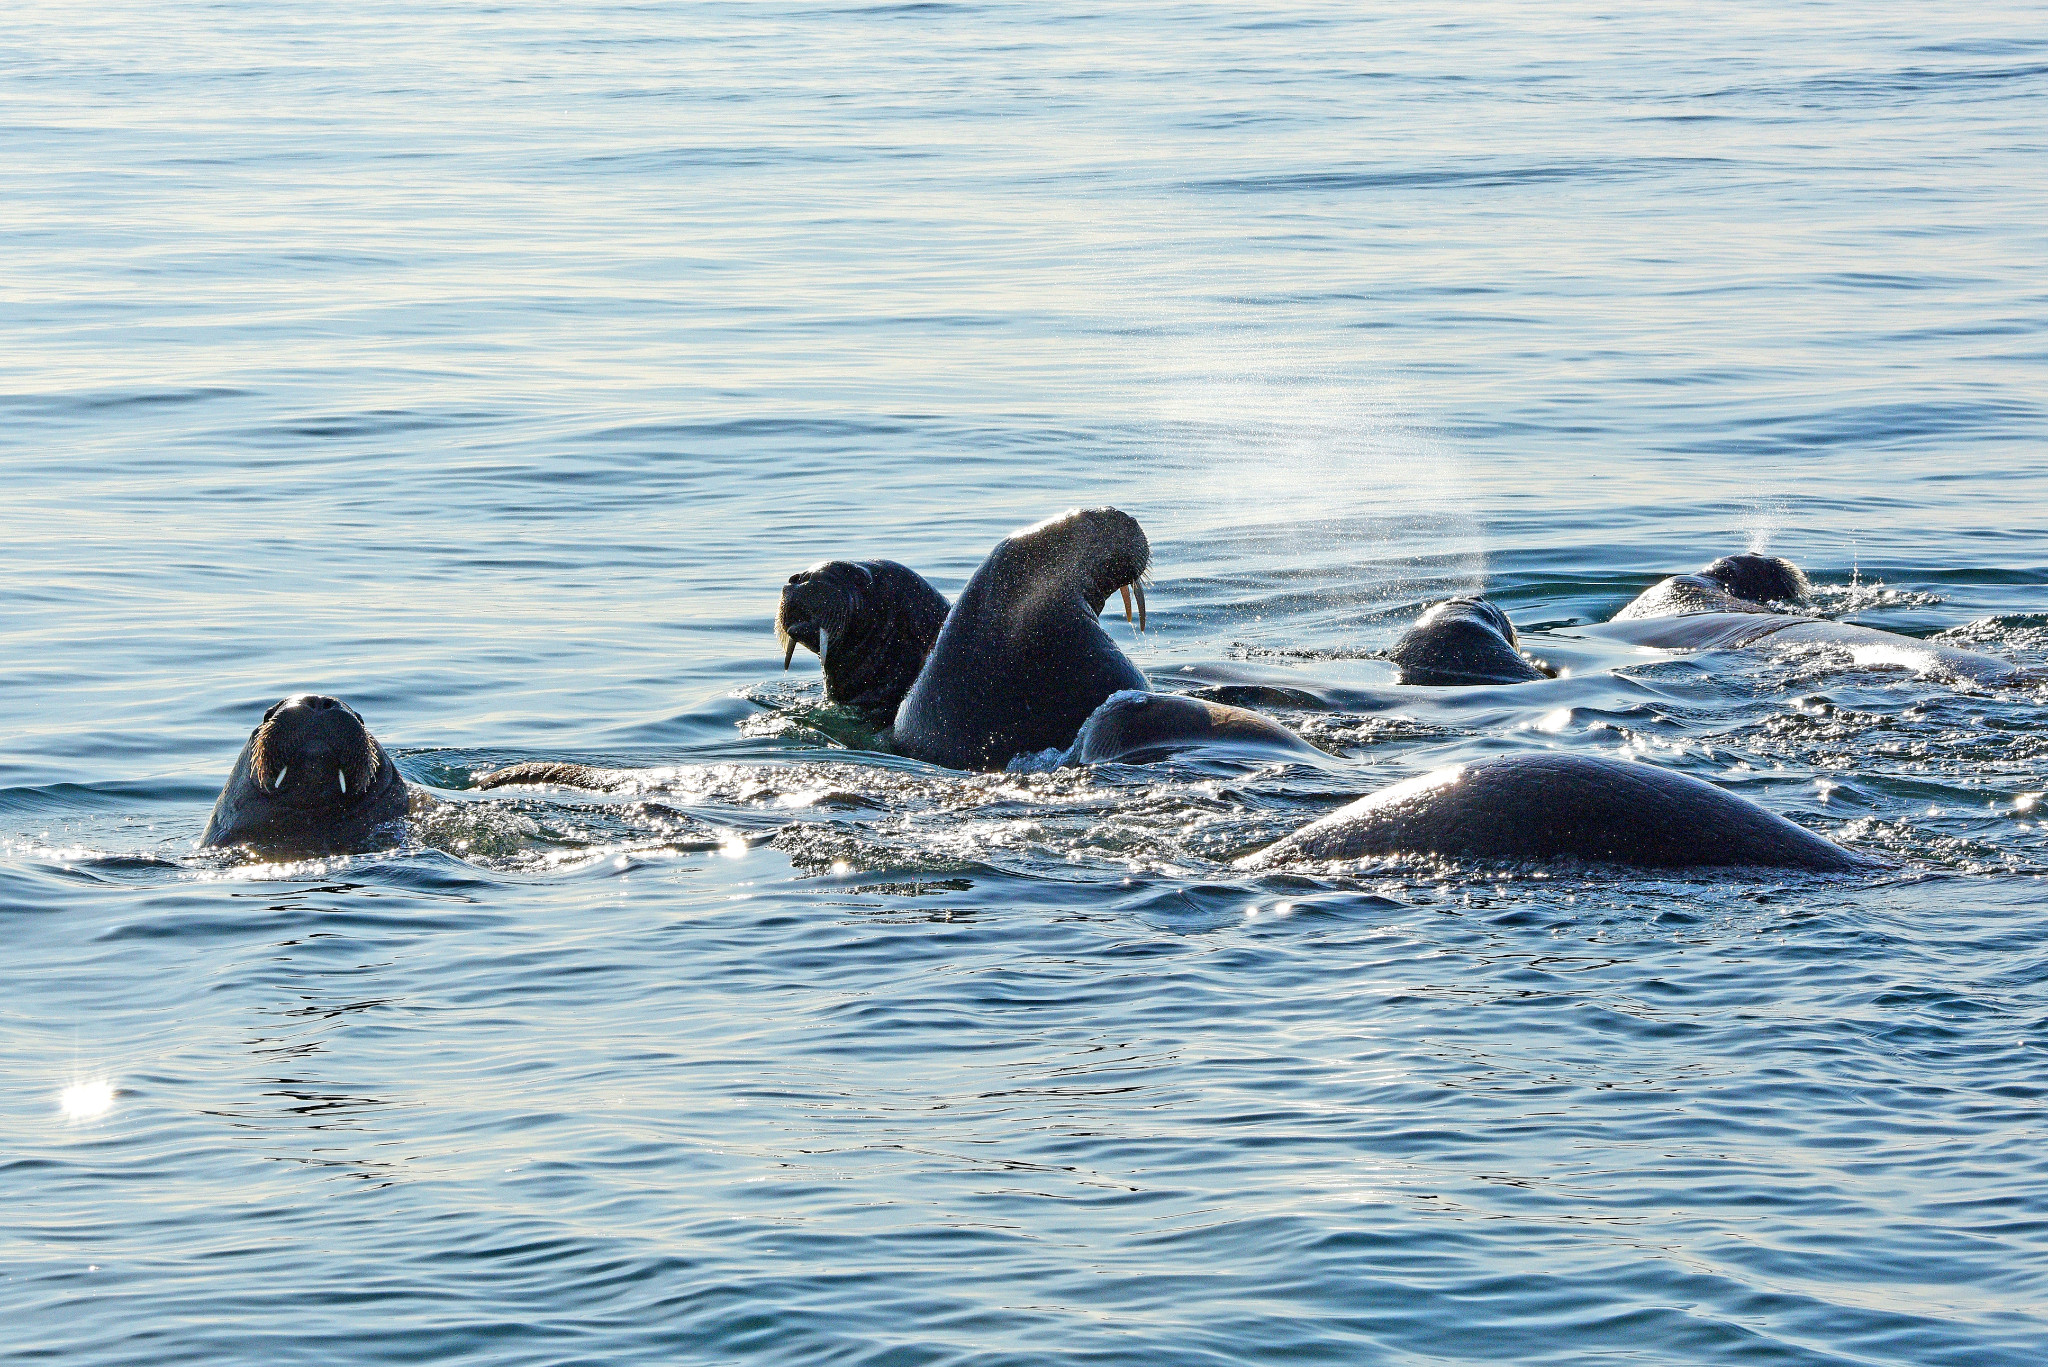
pixel 310 782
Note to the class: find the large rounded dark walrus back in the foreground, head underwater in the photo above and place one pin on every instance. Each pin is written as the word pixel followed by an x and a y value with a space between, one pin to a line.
pixel 1537 809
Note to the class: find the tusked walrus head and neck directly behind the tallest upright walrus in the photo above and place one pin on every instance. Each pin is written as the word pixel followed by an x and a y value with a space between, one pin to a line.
pixel 869 622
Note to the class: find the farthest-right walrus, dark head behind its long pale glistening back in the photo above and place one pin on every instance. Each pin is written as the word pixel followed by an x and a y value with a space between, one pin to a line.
pixel 1732 606
